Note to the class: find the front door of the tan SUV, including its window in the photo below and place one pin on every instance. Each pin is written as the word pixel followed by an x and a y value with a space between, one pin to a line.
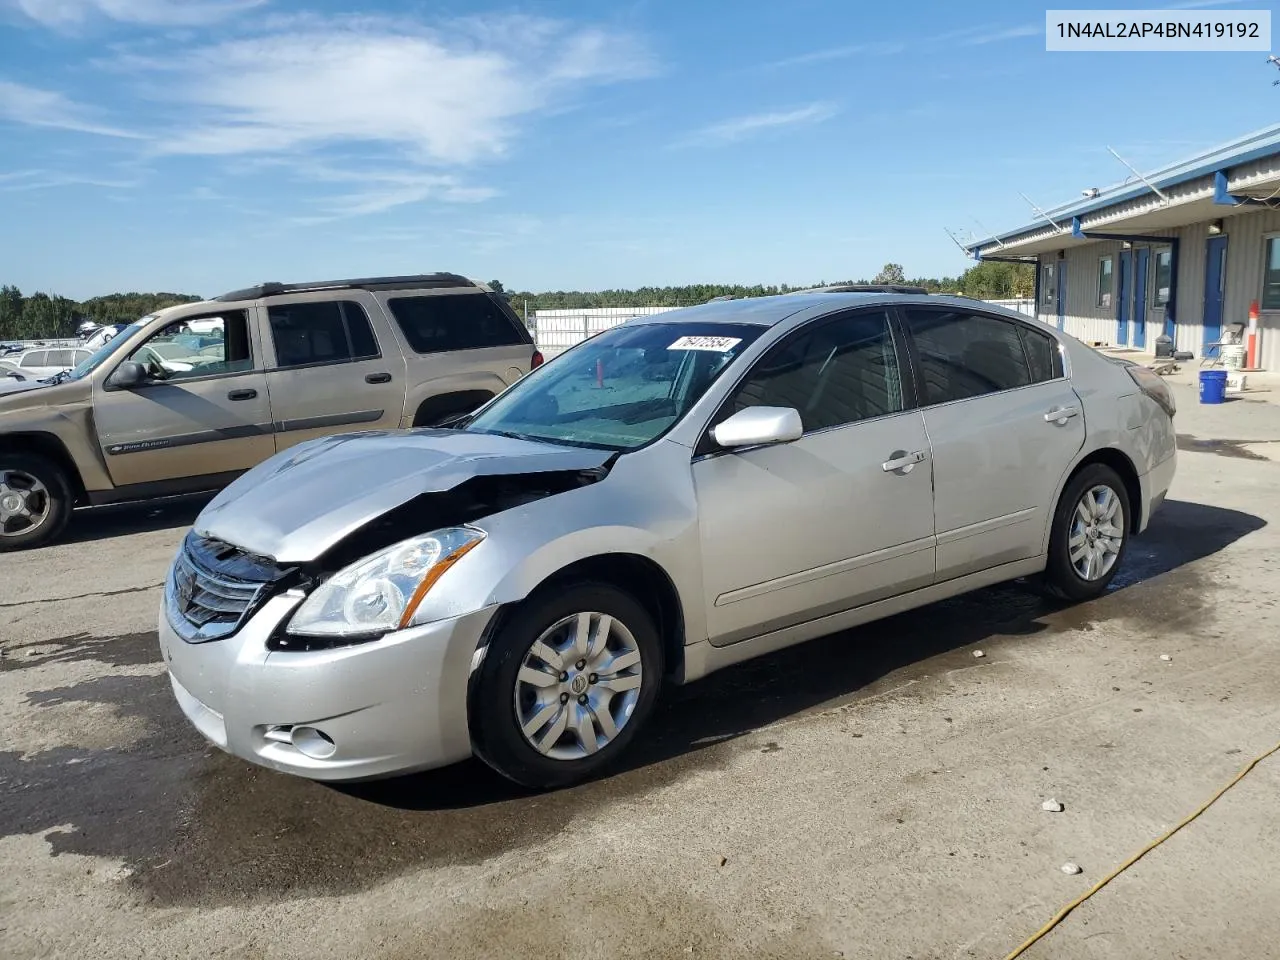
pixel 203 413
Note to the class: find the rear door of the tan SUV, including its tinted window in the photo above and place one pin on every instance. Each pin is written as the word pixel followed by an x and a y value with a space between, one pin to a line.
pixel 332 373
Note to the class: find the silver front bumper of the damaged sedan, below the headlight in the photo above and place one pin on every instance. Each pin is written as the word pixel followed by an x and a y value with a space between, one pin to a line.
pixel 358 712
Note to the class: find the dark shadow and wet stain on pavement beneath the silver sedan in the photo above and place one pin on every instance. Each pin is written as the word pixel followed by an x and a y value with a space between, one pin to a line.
pixel 198 826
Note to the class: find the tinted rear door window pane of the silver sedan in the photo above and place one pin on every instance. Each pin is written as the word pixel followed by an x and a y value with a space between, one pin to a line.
pixel 967 355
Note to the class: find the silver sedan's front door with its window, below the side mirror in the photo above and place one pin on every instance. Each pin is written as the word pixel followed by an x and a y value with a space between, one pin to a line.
pixel 843 516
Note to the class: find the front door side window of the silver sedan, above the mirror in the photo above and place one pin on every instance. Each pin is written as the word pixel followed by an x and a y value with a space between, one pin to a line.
pixel 839 373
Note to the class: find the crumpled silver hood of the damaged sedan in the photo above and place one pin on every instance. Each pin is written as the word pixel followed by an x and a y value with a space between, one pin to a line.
pixel 305 500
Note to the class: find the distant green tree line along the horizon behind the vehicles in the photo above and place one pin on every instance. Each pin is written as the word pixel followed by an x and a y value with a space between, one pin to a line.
pixel 48 317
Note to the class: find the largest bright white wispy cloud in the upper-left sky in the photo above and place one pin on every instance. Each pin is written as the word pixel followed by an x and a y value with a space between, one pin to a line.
pixel 442 98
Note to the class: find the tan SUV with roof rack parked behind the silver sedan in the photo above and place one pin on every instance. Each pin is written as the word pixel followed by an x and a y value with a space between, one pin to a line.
pixel 190 397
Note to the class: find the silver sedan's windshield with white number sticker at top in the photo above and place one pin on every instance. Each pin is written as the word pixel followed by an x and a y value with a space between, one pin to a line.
pixel 620 390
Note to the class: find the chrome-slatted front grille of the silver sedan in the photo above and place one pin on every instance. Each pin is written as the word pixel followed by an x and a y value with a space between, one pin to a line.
pixel 214 588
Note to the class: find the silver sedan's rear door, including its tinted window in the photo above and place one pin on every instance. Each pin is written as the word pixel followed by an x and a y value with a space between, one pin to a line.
pixel 1005 426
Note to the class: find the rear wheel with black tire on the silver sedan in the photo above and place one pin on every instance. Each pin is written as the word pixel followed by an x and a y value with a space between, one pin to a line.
pixel 1108 543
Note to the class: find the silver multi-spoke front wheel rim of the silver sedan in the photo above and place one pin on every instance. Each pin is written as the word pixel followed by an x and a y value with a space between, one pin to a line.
pixel 578 687
